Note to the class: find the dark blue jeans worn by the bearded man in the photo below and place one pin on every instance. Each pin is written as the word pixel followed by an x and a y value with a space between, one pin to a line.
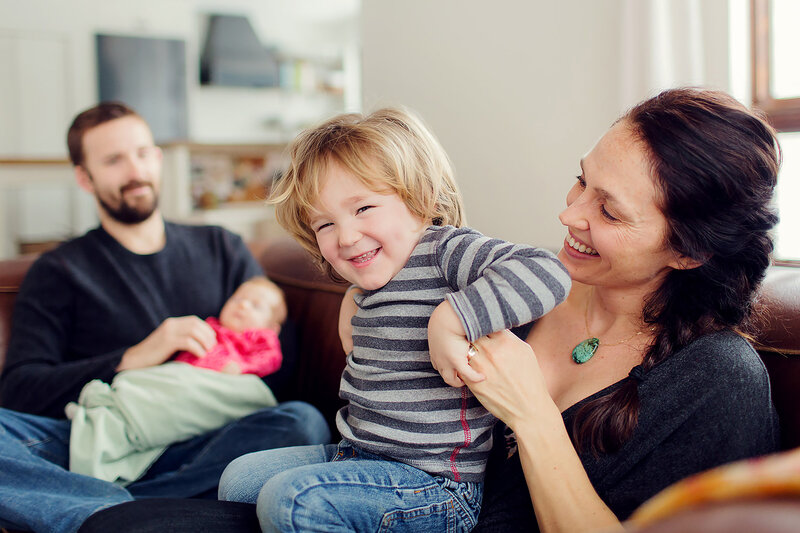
pixel 38 492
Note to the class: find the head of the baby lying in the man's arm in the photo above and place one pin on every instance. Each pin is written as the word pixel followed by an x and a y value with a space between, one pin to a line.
pixel 252 306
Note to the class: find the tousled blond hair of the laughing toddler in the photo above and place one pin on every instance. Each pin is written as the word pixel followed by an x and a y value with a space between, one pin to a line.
pixel 388 150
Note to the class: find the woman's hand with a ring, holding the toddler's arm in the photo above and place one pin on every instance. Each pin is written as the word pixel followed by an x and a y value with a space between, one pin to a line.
pixel 514 389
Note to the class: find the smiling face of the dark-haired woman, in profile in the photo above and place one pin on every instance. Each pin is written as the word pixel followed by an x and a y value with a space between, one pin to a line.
pixel 615 230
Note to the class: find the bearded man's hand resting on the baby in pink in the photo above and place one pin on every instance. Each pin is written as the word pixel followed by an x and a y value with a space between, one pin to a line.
pixel 188 333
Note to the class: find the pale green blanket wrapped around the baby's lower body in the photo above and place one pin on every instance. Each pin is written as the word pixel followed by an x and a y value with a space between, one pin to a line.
pixel 119 430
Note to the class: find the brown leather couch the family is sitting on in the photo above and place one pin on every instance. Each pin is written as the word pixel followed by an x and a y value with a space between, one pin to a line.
pixel 313 302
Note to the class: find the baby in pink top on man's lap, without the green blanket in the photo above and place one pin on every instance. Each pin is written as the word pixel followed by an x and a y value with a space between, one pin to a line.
pixel 247 332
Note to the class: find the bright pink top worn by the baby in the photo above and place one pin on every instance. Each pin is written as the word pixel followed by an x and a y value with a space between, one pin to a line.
pixel 256 351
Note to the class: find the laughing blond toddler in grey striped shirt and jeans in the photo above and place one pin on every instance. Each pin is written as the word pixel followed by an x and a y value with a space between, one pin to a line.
pixel 374 201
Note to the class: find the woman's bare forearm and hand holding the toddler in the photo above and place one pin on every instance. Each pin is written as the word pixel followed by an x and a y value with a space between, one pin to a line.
pixel 514 390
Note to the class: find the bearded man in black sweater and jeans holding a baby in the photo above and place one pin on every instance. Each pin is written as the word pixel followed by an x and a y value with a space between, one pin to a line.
pixel 128 294
